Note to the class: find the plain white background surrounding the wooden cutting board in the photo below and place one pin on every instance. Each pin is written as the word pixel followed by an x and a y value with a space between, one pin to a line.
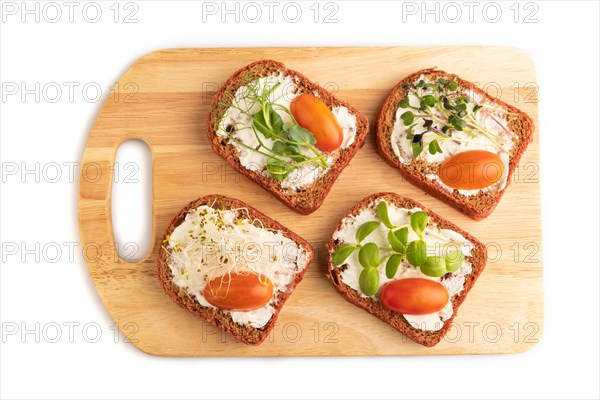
pixel 564 46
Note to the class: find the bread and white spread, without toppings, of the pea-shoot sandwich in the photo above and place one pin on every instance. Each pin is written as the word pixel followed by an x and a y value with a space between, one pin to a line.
pixel 305 189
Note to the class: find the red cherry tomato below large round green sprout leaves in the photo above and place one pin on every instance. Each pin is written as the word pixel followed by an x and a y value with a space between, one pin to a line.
pixel 415 296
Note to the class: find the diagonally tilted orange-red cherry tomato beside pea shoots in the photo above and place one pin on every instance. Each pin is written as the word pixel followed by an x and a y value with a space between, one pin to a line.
pixel 314 115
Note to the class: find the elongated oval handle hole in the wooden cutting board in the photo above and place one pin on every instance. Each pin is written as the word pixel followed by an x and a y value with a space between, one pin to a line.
pixel 131 200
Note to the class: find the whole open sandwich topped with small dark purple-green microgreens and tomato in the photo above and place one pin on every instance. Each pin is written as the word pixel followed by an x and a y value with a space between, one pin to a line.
pixel 452 139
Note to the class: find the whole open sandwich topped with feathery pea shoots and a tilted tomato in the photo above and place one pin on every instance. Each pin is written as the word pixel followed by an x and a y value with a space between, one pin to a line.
pixel 288 134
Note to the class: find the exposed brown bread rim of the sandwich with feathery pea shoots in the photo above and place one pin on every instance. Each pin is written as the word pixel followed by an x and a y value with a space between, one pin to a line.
pixel 305 200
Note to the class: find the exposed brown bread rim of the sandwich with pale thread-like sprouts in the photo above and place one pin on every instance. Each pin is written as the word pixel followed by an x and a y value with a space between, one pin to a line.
pixel 220 319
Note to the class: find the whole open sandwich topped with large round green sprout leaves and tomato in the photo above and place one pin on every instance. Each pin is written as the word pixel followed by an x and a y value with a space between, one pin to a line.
pixel 404 264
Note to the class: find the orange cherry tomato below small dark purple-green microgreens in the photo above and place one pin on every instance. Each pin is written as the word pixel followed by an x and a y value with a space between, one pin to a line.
pixel 471 169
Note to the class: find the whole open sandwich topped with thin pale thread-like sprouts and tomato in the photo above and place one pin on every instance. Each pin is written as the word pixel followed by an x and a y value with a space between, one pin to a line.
pixel 231 265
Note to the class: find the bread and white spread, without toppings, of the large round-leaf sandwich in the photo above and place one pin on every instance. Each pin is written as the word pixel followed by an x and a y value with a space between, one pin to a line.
pixel 345 277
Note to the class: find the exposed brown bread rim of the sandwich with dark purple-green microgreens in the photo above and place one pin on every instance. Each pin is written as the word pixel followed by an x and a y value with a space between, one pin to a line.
pixel 480 205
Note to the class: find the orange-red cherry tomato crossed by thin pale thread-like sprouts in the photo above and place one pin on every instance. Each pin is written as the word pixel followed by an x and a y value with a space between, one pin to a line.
pixel 240 292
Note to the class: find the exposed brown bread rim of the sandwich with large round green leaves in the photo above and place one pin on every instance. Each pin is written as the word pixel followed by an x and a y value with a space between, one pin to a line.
pixel 478 260
